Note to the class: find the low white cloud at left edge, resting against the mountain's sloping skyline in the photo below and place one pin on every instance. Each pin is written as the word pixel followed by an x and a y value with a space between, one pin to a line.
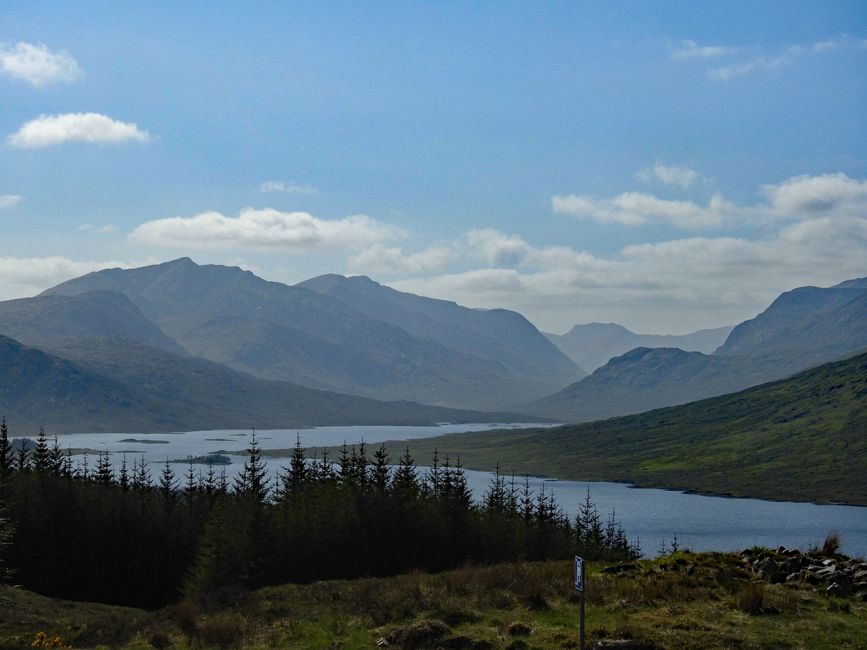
pixel 26 276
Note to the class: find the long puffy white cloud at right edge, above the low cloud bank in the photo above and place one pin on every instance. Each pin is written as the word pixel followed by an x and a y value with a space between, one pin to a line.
pixel 801 197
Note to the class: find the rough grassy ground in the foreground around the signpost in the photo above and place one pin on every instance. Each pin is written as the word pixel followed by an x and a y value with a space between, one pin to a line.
pixel 682 601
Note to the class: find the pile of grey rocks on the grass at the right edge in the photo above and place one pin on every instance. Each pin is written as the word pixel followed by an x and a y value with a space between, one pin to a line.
pixel 836 575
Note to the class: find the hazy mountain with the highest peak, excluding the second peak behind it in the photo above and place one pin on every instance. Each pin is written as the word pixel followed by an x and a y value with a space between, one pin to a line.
pixel 294 334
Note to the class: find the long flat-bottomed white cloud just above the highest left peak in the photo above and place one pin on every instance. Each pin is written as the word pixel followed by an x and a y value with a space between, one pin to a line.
pixel 265 228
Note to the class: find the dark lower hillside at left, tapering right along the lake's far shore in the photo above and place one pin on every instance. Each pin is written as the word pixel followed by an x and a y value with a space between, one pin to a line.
pixel 113 385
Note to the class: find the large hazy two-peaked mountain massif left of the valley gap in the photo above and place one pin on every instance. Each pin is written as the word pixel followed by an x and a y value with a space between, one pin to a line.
pixel 416 349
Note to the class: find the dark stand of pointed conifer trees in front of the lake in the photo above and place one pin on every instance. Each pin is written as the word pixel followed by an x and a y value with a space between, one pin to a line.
pixel 119 535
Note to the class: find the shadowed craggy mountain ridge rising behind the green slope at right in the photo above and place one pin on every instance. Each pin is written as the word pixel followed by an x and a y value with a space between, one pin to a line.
pixel 800 329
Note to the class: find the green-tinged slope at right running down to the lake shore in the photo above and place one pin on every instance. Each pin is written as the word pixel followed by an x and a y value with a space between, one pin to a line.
pixel 802 438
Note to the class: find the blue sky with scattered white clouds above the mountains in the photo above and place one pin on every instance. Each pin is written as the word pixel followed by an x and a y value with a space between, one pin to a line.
pixel 669 166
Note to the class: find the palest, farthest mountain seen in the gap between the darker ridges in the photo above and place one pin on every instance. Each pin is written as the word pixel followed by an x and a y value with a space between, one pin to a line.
pixel 592 345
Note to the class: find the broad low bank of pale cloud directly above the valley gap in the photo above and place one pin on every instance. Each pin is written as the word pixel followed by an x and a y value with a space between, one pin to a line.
pixel 671 286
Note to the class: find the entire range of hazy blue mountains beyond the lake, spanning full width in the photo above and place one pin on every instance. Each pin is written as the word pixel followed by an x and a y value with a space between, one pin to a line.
pixel 181 345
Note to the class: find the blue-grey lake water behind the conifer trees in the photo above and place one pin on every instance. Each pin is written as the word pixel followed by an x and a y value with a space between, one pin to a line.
pixel 700 522
